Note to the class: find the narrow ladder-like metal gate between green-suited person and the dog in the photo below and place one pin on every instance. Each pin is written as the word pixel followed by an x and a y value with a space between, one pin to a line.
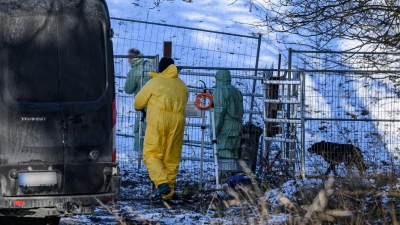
pixel 283 123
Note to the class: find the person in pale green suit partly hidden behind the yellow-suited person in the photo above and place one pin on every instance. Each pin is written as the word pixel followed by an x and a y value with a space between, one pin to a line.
pixel 132 86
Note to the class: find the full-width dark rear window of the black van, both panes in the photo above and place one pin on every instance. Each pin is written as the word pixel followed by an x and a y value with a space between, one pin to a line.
pixel 53 59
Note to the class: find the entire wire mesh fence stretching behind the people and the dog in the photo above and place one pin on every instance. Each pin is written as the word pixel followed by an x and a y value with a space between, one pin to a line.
pixel 343 100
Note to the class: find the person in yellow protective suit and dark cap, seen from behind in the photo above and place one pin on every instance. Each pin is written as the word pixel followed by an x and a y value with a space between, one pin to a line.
pixel 165 96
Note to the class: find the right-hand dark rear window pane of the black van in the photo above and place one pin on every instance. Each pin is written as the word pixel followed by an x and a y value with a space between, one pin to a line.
pixel 82 62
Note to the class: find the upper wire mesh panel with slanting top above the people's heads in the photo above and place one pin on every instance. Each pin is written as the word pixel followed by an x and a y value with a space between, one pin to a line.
pixel 191 46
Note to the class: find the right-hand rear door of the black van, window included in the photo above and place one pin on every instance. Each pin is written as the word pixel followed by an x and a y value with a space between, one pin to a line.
pixel 85 96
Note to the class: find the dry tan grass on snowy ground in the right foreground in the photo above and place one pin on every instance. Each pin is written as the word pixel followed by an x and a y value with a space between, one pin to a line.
pixel 350 200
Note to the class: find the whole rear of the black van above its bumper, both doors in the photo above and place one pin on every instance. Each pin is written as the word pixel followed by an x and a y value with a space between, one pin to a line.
pixel 56 93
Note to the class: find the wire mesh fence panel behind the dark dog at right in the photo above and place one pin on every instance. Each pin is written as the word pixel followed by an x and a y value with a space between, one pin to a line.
pixel 348 101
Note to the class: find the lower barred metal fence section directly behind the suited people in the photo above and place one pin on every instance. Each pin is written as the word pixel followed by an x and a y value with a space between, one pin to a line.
pixel 197 156
